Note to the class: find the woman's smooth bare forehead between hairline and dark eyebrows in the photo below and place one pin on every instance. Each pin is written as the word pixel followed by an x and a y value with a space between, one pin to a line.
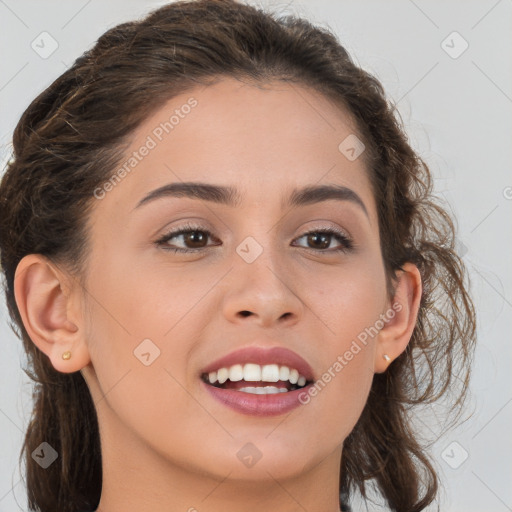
pixel 262 139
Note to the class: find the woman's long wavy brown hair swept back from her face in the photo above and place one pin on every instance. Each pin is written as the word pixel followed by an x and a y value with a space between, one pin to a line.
pixel 69 141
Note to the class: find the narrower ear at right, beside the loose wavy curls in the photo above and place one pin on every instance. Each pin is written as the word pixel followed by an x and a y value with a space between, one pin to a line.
pixel 400 317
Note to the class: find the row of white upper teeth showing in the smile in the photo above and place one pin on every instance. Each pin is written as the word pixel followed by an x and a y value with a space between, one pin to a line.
pixel 254 372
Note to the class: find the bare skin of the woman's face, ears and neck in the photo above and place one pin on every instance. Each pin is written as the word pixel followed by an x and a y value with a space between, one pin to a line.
pixel 166 444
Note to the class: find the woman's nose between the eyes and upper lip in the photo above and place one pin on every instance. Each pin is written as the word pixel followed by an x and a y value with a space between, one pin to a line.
pixel 261 292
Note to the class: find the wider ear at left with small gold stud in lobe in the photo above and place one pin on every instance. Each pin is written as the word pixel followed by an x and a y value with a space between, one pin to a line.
pixel 50 312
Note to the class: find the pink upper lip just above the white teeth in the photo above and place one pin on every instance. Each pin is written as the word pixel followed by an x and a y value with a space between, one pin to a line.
pixel 262 356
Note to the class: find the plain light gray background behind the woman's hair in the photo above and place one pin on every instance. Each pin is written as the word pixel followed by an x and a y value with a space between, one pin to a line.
pixel 457 110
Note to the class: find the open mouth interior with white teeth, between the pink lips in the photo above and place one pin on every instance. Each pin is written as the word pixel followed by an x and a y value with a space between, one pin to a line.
pixel 256 379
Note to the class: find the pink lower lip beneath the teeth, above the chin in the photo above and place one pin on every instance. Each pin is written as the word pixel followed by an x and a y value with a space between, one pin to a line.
pixel 258 405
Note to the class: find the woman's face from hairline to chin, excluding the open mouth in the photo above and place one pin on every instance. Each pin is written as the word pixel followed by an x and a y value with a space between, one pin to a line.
pixel 258 274
